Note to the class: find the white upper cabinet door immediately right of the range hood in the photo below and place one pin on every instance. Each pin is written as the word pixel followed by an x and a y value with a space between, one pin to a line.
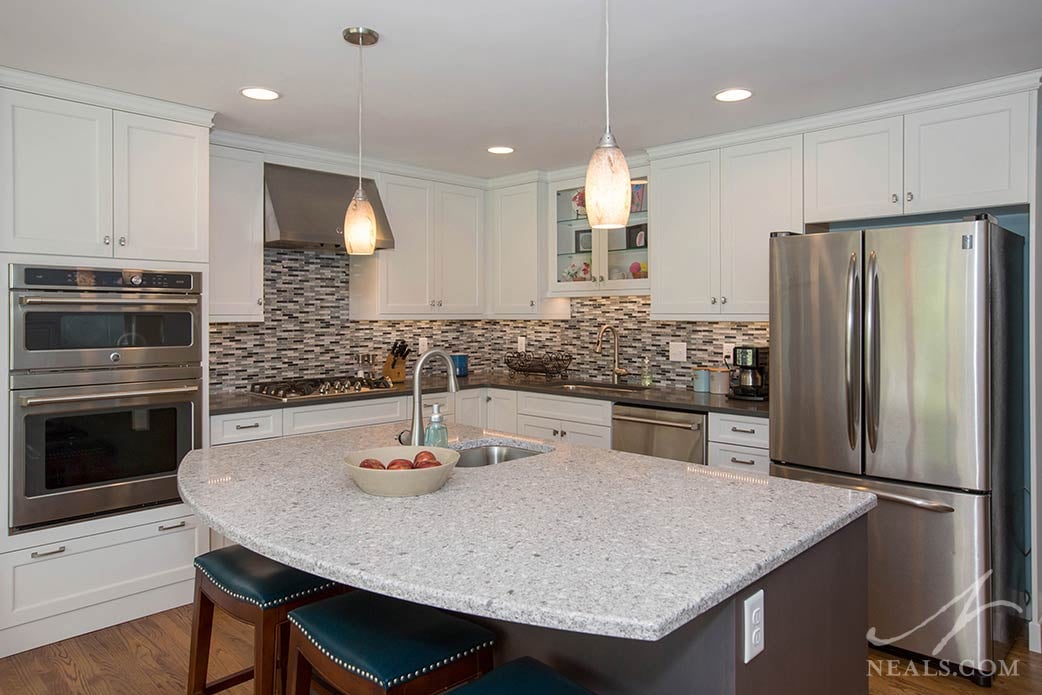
pixel 406 272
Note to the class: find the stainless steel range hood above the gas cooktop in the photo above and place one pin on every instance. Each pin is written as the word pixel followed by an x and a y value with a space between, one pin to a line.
pixel 305 209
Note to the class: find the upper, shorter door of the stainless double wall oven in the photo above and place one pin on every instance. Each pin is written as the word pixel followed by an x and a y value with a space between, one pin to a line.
pixel 77 331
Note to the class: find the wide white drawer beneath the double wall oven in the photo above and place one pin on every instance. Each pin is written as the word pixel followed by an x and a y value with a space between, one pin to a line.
pixel 75 575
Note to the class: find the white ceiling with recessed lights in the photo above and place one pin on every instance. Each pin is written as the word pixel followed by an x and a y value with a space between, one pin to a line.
pixel 451 79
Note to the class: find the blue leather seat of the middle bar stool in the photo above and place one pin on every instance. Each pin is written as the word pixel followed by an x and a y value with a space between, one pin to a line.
pixel 386 640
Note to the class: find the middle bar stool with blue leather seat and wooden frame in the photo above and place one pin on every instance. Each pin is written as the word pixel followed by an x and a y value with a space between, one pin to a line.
pixel 366 644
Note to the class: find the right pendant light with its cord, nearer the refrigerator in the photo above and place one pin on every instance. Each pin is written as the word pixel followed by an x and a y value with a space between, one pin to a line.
pixel 608 192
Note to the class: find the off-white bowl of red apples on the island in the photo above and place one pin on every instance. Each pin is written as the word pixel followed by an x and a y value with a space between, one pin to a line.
pixel 402 471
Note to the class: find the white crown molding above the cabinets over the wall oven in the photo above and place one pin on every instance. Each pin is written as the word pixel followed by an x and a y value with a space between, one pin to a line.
pixel 100 96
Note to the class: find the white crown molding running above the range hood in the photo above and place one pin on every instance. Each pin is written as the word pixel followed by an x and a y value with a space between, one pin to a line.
pixel 309 157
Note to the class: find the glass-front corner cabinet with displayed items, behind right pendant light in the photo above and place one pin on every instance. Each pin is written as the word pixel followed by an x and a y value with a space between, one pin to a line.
pixel 587 262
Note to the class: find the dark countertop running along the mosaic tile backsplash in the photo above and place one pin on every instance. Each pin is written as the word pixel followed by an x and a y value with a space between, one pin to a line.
pixel 225 403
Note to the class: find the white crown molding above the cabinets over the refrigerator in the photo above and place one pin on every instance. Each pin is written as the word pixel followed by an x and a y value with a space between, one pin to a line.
pixel 1003 86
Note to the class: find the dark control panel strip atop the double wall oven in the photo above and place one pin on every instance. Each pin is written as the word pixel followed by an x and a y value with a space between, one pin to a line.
pixel 89 279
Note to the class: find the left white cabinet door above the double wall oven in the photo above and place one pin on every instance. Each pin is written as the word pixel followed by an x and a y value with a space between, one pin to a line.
pixel 57 177
